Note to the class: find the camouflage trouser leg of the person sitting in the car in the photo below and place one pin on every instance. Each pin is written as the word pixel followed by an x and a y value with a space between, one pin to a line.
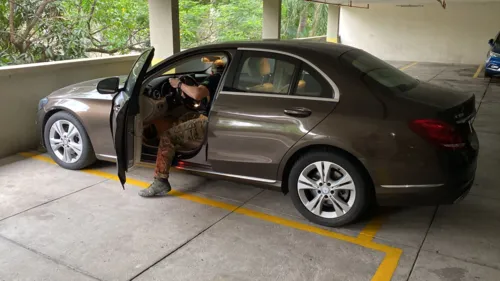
pixel 189 127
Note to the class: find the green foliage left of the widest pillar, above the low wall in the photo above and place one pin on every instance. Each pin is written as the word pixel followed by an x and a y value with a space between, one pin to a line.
pixel 47 30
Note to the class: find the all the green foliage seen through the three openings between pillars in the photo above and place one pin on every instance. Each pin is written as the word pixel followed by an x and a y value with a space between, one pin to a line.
pixel 47 30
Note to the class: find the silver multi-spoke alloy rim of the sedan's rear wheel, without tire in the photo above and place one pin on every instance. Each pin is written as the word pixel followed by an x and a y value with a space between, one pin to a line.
pixel 326 189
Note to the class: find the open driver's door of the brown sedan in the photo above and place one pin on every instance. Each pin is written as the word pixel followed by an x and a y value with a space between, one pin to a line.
pixel 126 124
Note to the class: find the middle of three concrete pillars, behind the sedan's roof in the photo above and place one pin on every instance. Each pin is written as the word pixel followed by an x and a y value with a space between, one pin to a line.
pixel 271 22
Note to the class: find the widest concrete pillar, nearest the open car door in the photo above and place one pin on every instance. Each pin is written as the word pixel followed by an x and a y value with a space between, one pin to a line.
pixel 164 27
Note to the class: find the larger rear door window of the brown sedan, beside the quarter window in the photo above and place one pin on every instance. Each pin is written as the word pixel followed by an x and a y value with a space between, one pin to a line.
pixel 264 74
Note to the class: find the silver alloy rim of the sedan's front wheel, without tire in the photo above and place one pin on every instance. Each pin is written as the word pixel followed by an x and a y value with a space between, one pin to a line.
pixel 65 141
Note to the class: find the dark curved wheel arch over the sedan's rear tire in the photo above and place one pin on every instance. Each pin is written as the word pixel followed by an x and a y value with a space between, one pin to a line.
pixel 321 147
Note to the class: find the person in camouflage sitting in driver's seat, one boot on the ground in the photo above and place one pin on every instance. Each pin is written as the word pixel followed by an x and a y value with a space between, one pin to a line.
pixel 189 127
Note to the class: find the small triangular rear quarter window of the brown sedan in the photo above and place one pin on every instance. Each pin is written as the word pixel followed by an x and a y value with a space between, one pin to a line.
pixel 311 84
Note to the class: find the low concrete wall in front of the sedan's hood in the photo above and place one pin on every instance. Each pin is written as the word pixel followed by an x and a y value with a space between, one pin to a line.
pixel 21 87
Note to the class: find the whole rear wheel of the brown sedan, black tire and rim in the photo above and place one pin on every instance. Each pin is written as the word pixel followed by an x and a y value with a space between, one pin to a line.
pixel 335 198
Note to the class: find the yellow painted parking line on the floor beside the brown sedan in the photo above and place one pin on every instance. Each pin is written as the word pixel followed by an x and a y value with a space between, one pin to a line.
pixel 384 271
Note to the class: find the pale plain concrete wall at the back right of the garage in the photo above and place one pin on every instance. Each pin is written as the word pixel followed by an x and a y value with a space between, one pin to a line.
pixel 458 34
